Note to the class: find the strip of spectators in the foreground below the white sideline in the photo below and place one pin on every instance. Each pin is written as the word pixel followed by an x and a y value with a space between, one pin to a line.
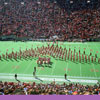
pixel 31 88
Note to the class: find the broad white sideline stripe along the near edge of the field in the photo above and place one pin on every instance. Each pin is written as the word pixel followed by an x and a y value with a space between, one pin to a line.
pixel 50 79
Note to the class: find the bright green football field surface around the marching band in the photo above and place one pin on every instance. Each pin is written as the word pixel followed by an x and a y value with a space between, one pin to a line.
pixel 85 73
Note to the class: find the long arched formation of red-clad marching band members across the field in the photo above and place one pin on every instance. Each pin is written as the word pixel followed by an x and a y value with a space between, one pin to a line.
pixel 51 50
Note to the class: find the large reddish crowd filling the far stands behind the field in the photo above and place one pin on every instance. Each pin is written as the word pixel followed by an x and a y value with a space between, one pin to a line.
pixel 44 18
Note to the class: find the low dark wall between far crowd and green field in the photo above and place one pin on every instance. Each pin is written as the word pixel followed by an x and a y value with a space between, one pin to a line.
pixel 15 38
